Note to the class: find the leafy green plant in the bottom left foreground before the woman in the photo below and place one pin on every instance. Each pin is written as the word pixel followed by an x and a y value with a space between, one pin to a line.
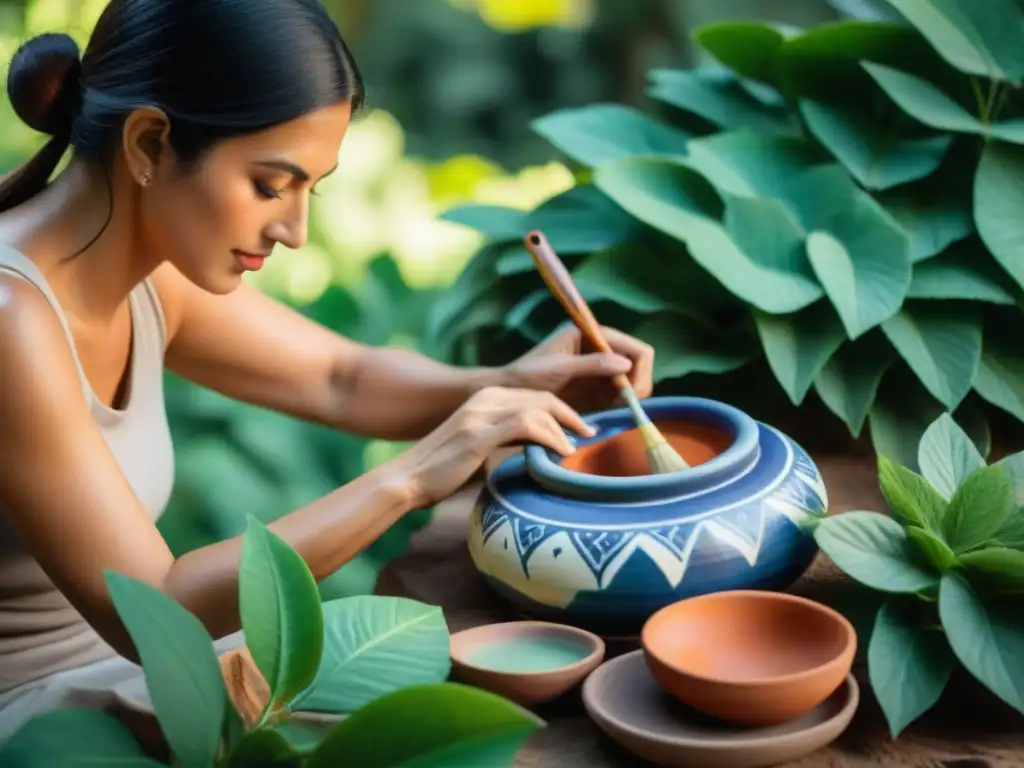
pixel 379 663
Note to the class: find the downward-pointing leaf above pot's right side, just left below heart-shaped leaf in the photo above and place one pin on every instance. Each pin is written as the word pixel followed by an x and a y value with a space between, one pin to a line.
pixel 797 347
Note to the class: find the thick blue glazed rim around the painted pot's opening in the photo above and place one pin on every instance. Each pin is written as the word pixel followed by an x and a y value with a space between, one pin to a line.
pixel 545 465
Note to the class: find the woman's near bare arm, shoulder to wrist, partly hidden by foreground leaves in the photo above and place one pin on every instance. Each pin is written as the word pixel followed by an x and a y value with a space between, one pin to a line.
pixel 67 498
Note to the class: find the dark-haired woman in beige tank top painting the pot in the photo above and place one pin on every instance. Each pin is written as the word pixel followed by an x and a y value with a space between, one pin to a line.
pixel 199 132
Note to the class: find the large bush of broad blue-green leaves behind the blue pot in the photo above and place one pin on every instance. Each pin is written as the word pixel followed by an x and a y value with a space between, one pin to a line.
pixel 841 204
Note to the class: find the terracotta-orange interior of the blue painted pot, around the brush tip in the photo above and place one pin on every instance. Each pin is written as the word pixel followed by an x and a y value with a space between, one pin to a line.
pixel 625 455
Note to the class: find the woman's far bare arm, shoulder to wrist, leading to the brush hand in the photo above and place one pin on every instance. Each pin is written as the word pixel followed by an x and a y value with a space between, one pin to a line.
pixel 252 349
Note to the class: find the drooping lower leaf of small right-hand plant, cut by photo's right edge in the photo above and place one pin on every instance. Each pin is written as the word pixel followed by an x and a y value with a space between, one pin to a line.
pixel 988 638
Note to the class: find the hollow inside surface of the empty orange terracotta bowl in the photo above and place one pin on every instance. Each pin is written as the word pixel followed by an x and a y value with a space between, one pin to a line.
pixel 746 639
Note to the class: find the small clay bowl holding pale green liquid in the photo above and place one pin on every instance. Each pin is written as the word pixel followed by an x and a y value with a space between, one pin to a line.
pixel 526 662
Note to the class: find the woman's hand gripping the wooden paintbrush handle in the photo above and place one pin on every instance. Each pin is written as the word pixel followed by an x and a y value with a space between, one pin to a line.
pixel 584 380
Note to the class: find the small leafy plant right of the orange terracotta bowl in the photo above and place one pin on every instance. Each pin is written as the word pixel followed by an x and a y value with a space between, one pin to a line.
pixel 949 566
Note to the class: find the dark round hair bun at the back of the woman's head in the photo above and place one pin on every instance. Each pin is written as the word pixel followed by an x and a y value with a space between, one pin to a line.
pixel 44 82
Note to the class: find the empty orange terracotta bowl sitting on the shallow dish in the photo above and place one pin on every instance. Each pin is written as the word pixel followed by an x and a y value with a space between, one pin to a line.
pixel 748 657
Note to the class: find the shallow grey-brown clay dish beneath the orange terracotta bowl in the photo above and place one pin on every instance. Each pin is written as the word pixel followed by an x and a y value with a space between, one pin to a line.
pixel 632 709
